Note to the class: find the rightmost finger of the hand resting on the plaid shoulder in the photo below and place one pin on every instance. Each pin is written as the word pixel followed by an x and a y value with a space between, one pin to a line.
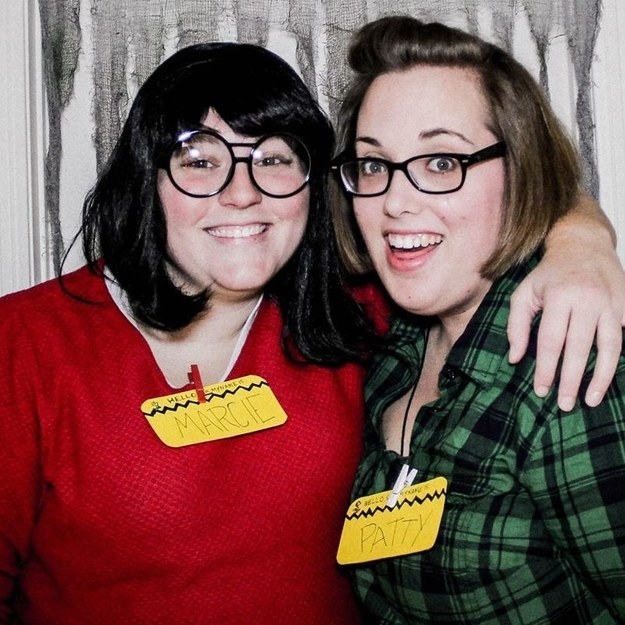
pixel 609 347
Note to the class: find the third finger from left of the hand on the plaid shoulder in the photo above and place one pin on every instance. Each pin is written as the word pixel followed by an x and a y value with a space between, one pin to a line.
pixel 579 341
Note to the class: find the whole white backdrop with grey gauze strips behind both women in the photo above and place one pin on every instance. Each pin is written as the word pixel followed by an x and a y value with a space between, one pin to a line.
pixel 93 55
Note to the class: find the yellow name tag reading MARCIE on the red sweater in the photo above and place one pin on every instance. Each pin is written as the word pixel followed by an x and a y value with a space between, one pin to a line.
pixel 230 408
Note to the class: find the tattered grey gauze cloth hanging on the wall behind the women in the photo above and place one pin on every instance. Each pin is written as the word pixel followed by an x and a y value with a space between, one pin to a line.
pixel 131 37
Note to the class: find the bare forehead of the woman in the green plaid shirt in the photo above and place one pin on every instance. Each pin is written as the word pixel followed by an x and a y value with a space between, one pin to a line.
pixel 422 99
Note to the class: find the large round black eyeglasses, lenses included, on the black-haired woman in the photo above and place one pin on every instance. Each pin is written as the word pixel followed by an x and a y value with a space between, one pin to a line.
pixel 202 164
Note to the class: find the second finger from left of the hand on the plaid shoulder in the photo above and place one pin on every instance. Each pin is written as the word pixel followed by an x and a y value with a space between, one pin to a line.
pixel 550 342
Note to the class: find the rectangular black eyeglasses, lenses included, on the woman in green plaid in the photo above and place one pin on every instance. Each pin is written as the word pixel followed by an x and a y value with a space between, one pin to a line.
pixel 429 173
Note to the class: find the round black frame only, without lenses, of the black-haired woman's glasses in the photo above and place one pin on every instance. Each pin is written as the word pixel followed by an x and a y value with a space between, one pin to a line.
pixel 187 134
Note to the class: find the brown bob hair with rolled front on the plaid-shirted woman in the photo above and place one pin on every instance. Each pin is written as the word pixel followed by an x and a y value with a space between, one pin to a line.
pixel 541 164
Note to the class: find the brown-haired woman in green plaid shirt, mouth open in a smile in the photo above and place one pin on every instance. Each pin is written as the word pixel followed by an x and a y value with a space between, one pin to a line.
pixel 456 167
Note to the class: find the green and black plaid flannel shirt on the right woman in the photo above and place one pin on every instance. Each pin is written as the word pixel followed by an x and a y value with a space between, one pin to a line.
pixel 533 529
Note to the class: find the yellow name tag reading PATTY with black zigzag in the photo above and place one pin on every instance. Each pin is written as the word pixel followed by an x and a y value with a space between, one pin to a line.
pixel 372 530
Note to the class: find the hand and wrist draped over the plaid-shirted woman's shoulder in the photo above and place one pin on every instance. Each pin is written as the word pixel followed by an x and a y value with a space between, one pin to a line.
pixel 580 288
